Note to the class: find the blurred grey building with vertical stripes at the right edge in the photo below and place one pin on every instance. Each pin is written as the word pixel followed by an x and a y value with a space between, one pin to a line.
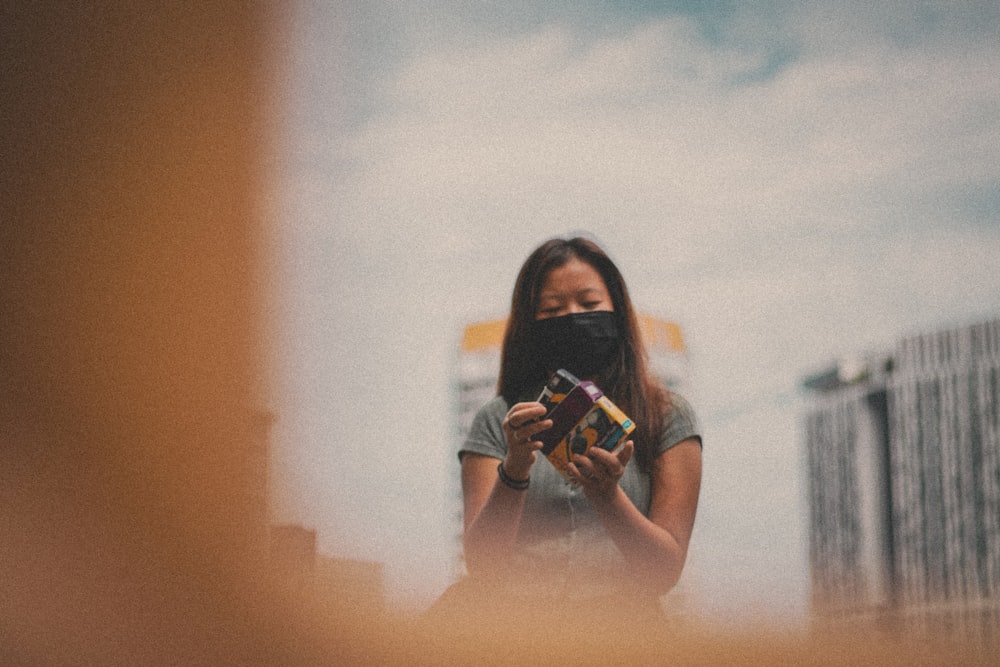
pixel 903 452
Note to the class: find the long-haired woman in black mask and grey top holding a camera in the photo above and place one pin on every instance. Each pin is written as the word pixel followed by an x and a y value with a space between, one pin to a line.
pixel 618 531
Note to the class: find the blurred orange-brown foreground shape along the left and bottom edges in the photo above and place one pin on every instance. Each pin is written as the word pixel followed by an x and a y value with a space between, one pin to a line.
pixel 134 525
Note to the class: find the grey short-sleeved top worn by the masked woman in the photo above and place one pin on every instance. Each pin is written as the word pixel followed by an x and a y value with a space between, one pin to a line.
pixel 562 545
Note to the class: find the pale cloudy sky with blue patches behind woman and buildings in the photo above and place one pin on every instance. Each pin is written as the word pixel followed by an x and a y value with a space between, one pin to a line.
pixel 792 182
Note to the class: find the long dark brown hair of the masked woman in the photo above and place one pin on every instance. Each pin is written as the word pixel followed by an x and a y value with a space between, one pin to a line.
pixel 627 380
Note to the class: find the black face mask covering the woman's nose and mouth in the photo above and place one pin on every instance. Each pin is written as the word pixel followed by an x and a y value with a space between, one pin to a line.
pixel 582 343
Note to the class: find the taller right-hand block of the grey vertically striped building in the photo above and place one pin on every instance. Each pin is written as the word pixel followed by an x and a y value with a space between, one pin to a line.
pixel 944 405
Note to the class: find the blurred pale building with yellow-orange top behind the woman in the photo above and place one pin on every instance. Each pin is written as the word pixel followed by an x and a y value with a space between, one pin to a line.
pixel 479 368
